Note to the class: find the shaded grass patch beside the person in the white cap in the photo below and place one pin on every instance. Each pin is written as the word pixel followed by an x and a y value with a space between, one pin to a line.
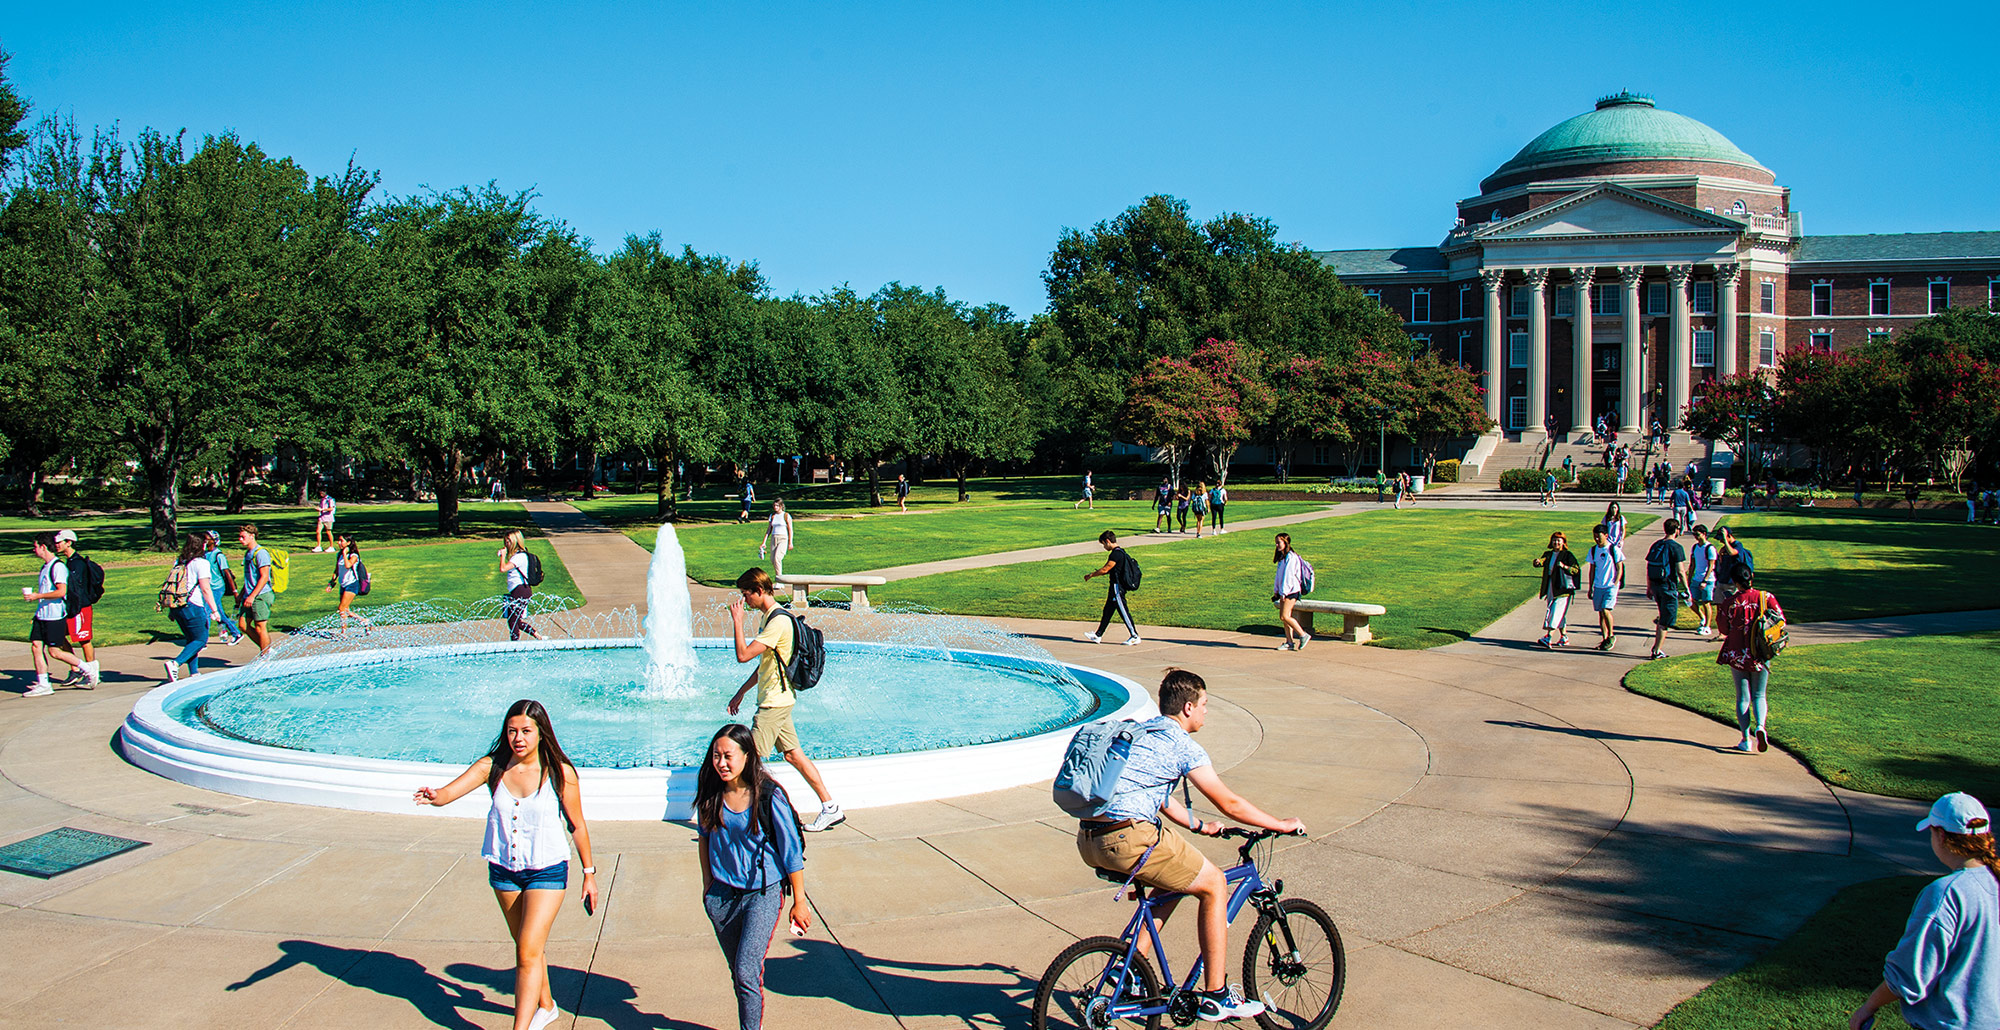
pixel 1817 977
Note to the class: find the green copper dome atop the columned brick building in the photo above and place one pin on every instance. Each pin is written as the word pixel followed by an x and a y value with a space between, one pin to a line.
pixel 1623 129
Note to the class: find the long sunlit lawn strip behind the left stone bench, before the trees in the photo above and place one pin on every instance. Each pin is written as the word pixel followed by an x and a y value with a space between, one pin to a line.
pixel 719 553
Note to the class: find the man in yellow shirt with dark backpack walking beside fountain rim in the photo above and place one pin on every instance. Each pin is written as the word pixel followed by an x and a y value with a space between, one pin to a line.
pixel 773 651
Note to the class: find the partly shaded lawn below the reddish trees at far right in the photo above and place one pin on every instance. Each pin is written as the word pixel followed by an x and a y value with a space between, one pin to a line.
pixel 1835 567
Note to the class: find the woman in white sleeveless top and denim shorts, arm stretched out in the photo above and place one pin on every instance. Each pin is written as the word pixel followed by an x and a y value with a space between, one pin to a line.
pixel 535 795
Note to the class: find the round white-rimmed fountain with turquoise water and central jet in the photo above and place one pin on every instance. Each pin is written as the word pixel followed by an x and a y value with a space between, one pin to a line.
pixel 913 707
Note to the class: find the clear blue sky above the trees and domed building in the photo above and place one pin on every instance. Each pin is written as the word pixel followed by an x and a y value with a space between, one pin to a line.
pixel 949 145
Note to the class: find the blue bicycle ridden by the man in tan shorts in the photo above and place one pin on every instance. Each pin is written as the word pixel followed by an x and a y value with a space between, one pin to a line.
pixel 1293 961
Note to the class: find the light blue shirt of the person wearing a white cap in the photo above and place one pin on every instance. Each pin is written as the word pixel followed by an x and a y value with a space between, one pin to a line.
pixel 1943 969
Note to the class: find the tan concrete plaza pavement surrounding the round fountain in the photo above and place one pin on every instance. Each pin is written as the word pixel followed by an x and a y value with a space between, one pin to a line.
pixel 1505 835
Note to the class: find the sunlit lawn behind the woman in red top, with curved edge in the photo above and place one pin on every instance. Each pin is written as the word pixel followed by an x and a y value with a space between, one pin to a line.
pixel 1911 719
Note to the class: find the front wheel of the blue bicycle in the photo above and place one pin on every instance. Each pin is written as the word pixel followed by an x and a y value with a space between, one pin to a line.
pixel 1297 967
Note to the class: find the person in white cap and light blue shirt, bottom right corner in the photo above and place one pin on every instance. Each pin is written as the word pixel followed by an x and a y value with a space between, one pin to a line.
pixel 1941 971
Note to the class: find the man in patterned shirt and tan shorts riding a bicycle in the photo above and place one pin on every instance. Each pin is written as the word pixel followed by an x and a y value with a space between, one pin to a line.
pixel 1131 839
